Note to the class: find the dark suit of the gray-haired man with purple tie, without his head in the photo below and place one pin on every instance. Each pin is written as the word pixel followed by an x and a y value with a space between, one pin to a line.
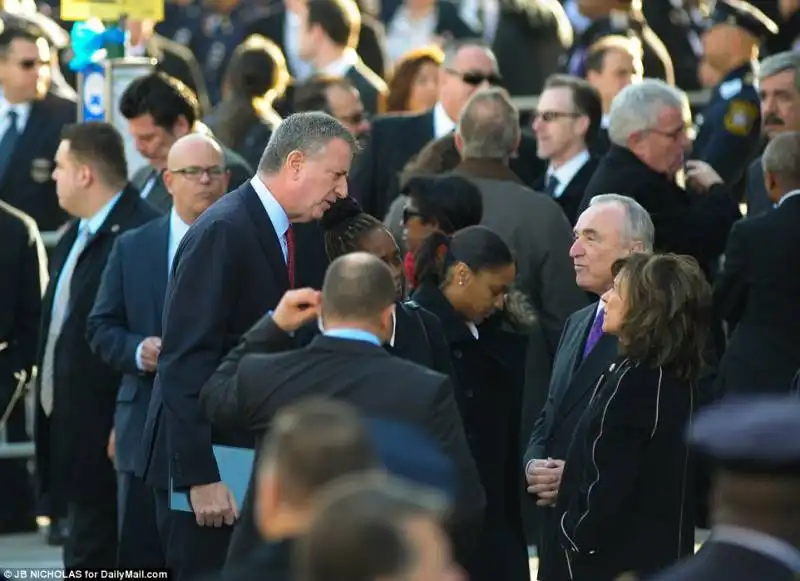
pixel 571 386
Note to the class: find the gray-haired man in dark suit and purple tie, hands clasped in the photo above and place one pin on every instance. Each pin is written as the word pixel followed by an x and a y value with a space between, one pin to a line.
pixel 612 227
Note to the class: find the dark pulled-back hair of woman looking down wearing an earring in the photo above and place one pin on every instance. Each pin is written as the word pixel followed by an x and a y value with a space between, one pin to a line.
pixel 477 246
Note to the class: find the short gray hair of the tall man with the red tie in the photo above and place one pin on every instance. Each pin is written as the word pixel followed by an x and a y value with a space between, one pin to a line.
pixel 308 133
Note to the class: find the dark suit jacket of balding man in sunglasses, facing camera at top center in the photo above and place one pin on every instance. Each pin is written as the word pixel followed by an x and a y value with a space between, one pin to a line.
pixel 394 140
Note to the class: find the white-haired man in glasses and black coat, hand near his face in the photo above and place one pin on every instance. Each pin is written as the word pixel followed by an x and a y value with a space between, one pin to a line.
pixel 649 133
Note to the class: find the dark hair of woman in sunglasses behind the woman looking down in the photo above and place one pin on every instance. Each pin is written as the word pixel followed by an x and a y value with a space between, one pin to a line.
pixel 451 202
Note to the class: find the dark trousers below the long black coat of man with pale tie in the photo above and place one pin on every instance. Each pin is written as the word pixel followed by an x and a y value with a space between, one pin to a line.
pixel 92 540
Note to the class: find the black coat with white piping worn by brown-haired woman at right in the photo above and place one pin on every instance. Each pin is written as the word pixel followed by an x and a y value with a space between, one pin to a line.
pixel 626 498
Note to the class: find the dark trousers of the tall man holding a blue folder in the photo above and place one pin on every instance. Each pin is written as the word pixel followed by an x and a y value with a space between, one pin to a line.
pixel 190 550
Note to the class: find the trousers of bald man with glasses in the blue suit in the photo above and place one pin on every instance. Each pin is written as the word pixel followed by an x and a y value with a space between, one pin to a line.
pixel 139 544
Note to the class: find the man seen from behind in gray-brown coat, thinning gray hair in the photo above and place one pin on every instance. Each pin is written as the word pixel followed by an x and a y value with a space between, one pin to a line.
pixel 532 224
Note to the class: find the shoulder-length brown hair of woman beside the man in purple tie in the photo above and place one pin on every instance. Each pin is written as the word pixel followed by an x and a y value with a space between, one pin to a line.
pixel 668 312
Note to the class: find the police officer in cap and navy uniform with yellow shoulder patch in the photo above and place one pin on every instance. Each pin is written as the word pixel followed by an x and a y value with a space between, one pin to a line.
pixel 729 127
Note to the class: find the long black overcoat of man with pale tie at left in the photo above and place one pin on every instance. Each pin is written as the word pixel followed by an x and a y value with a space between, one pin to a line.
pixel 74 437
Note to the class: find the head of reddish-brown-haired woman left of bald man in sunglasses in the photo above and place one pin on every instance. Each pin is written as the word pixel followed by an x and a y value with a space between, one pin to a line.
pixel 414 85
